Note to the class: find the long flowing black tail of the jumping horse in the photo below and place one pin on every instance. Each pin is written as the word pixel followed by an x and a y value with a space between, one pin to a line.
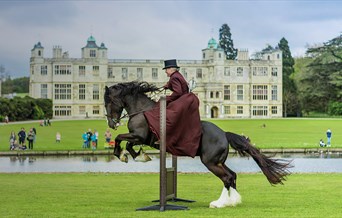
pixel 275 170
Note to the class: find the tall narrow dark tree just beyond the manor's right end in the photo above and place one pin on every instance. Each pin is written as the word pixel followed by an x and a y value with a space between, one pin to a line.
pixel 290 100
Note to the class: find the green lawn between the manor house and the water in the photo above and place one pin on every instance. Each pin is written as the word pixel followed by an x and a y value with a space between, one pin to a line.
pixel 278 133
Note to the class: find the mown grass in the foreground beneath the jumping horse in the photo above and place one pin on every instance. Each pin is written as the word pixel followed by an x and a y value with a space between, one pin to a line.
pixel 120 194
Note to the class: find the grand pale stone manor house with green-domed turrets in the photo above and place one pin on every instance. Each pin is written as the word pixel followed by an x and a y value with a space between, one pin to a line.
pixel 241 88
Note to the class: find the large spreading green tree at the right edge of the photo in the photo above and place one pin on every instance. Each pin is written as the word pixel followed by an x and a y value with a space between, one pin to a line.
pixel 321 80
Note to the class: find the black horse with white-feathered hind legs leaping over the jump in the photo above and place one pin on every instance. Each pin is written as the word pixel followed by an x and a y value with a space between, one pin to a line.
pixel 213 149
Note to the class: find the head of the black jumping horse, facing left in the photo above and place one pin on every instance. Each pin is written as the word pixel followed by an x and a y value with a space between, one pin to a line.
pixel 114 106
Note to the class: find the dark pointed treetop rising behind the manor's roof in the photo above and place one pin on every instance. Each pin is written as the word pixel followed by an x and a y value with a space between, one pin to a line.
pixel 226 42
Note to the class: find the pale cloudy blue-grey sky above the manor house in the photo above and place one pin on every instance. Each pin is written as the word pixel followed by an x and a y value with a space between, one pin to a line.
pixel 160 29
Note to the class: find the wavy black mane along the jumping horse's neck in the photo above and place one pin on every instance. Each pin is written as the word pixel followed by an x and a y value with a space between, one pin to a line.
pixel 132 88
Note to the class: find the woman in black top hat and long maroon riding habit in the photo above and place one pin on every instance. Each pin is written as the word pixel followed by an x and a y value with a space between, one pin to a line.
pixel 183 130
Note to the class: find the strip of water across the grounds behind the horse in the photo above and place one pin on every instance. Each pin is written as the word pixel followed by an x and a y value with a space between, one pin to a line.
pixel 303 163
